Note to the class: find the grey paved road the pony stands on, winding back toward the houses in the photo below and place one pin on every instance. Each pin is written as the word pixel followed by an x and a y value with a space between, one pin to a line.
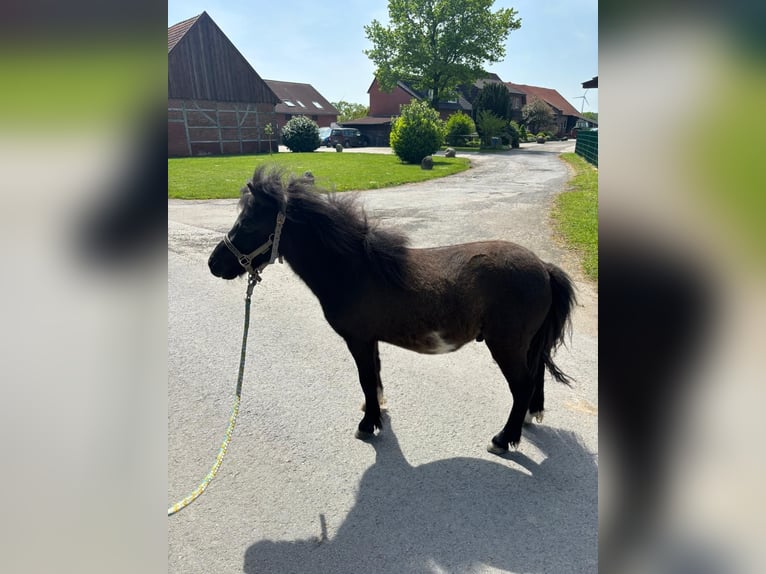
pixel 297 493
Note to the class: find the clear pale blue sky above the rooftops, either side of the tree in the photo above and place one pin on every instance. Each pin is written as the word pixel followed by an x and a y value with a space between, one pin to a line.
pixel 321 43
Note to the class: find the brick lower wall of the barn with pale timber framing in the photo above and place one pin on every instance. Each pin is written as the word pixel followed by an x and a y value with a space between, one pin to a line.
pixel 204 127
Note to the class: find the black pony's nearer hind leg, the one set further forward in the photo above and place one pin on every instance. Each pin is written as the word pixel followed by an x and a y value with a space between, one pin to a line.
pixel 513 364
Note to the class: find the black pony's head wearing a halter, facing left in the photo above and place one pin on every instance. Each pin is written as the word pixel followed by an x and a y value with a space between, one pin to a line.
pixel 248 244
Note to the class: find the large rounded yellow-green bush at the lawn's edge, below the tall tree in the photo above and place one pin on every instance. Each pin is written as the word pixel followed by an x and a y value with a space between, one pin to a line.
pixel 417 132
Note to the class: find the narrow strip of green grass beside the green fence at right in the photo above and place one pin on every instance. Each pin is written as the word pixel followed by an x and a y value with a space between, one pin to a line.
pixel 576 213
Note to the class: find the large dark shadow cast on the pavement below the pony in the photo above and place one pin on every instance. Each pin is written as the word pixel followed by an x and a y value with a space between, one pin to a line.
pixel 455 515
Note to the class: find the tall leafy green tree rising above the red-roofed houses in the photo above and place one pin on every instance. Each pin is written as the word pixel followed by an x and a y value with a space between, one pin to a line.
pixel 437 45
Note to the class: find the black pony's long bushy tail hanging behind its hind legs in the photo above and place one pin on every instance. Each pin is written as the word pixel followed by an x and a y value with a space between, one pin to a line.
pixel 556 326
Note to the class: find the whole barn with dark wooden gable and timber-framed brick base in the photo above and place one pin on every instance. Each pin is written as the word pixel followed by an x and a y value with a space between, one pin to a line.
pixel 217 103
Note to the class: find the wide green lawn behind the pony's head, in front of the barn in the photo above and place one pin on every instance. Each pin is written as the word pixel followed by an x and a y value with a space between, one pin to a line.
pixel 218 177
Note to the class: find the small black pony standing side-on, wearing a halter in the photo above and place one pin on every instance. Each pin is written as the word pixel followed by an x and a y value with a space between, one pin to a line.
pixel 373 287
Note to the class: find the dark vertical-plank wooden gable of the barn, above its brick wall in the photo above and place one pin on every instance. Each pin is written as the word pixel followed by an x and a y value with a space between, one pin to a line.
pixel 205 65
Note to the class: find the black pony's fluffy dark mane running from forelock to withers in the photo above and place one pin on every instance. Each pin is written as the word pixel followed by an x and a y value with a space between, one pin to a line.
pixel 338 220
